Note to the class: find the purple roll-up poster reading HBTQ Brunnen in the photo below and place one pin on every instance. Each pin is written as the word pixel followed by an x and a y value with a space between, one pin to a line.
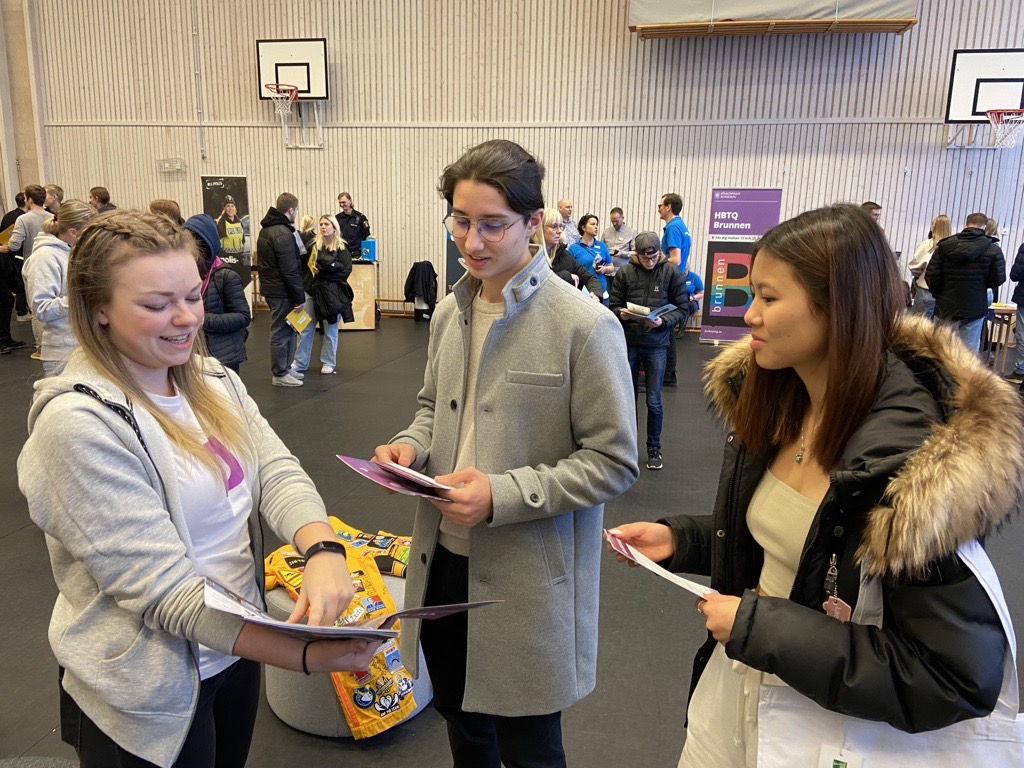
pixel 739 219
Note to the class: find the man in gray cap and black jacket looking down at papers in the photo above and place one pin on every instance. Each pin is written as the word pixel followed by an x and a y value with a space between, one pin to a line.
pixel 642 294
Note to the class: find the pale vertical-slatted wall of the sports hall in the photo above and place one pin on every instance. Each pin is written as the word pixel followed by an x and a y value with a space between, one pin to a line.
pixel 618 121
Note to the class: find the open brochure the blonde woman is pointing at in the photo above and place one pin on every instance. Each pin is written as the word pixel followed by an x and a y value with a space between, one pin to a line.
pixel 379 628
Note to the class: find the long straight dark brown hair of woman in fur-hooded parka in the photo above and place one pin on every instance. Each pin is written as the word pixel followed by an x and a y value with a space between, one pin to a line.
pixel 843 261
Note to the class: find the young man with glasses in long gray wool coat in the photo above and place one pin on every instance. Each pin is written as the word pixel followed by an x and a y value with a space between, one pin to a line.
pixel 526 410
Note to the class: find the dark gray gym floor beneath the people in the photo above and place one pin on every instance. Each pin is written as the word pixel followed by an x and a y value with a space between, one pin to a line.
pixel 649 628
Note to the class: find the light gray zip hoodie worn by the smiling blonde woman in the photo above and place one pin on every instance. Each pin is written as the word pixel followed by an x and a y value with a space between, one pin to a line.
pixel 131 612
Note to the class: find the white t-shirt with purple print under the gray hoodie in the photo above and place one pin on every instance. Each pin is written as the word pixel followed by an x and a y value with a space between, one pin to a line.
pixel 217 510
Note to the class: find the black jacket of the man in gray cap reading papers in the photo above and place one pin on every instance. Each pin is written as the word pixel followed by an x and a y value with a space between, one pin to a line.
pixel 651 288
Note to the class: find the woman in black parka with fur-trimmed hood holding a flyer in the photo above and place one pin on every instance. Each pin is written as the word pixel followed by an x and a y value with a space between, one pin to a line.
pixel 843 547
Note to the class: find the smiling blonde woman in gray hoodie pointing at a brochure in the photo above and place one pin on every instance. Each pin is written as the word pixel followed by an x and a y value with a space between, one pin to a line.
pixel 165 467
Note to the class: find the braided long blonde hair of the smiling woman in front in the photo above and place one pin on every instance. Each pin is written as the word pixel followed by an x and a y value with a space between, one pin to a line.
pixel 106 245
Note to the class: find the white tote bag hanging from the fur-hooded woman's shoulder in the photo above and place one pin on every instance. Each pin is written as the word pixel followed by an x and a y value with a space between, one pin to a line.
pixel 792 729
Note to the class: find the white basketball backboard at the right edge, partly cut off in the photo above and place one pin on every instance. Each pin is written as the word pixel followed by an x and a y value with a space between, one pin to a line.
pixel 985 79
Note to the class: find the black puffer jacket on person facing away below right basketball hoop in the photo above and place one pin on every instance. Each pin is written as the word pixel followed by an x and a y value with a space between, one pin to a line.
pixel 962 270
